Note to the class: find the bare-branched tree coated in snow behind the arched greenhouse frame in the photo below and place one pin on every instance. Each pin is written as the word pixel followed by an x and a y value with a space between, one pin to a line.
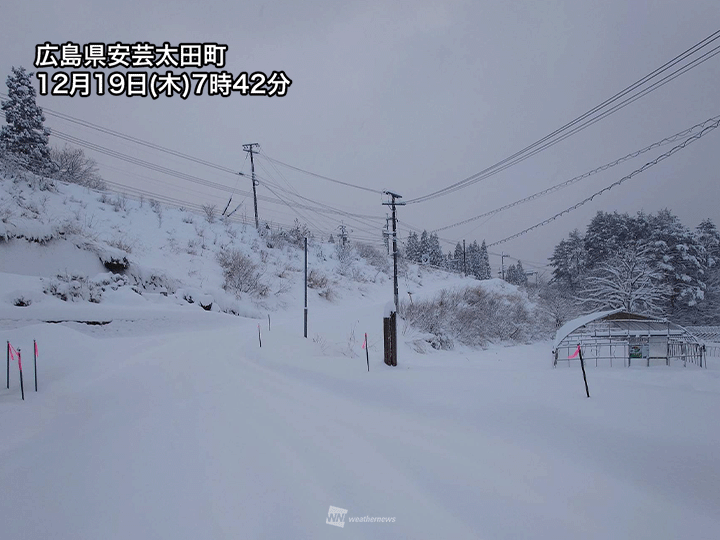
pixel 627 280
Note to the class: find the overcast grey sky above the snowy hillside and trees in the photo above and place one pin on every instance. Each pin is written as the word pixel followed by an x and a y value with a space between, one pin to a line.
pixel 410 96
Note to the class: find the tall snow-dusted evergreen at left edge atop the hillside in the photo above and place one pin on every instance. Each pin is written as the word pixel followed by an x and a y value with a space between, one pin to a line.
pixel 25 137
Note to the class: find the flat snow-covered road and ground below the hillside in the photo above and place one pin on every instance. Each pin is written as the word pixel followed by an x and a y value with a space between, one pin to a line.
pixel 199 433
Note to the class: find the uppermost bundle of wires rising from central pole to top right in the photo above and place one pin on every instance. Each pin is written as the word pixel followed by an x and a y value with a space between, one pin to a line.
pixel 552 138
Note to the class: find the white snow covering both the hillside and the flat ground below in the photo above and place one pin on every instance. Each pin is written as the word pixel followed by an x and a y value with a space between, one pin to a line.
pixel 172 421
